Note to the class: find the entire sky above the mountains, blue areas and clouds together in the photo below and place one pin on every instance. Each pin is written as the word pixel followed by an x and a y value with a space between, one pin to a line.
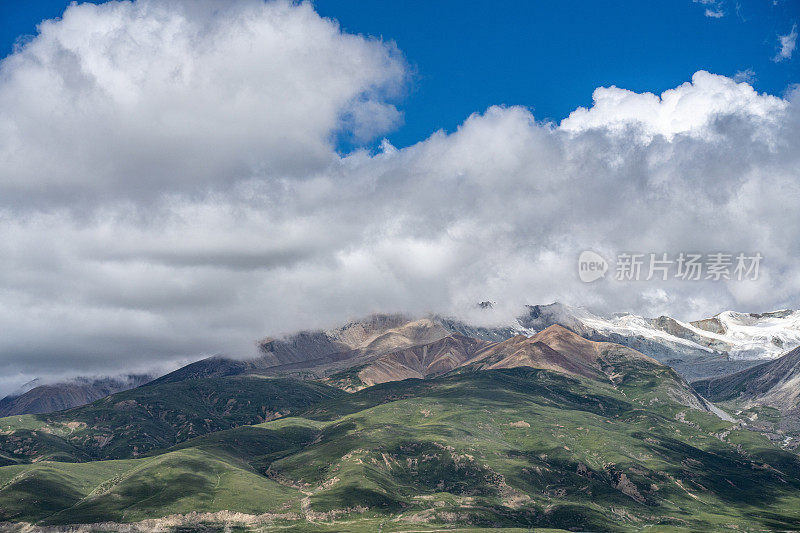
pixel 183 178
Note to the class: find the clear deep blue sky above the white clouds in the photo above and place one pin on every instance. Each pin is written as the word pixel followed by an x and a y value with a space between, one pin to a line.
pixel 548 56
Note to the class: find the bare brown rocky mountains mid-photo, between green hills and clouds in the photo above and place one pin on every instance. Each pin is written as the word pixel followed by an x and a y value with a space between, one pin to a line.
pixel 385 348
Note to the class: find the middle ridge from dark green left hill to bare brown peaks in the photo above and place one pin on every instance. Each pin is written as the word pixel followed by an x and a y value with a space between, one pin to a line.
pixel 164 413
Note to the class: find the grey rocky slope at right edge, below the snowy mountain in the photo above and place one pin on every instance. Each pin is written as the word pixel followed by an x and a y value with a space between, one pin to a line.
pixel 767 397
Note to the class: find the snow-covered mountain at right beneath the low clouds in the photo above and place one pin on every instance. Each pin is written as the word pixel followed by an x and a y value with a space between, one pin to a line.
pixel 723 344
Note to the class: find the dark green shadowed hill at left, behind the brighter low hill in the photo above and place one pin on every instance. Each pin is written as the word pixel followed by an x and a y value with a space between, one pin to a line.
pixel 155 416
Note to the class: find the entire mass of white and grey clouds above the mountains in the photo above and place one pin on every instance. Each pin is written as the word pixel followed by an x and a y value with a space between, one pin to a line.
pixel 229 215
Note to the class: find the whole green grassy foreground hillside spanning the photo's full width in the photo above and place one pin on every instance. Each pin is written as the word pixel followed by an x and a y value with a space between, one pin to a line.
pixel 494 448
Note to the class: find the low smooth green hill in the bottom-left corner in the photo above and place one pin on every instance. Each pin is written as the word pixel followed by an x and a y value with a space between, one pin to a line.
pixel 132 490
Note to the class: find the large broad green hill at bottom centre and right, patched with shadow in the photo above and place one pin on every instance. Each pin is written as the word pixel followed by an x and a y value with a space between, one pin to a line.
pixel 527 447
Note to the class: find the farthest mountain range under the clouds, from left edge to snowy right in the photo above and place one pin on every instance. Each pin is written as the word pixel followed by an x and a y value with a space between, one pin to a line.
pixel 392 346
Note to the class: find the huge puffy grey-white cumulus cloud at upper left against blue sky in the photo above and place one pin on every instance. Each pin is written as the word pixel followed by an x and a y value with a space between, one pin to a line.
pixel 158 97
